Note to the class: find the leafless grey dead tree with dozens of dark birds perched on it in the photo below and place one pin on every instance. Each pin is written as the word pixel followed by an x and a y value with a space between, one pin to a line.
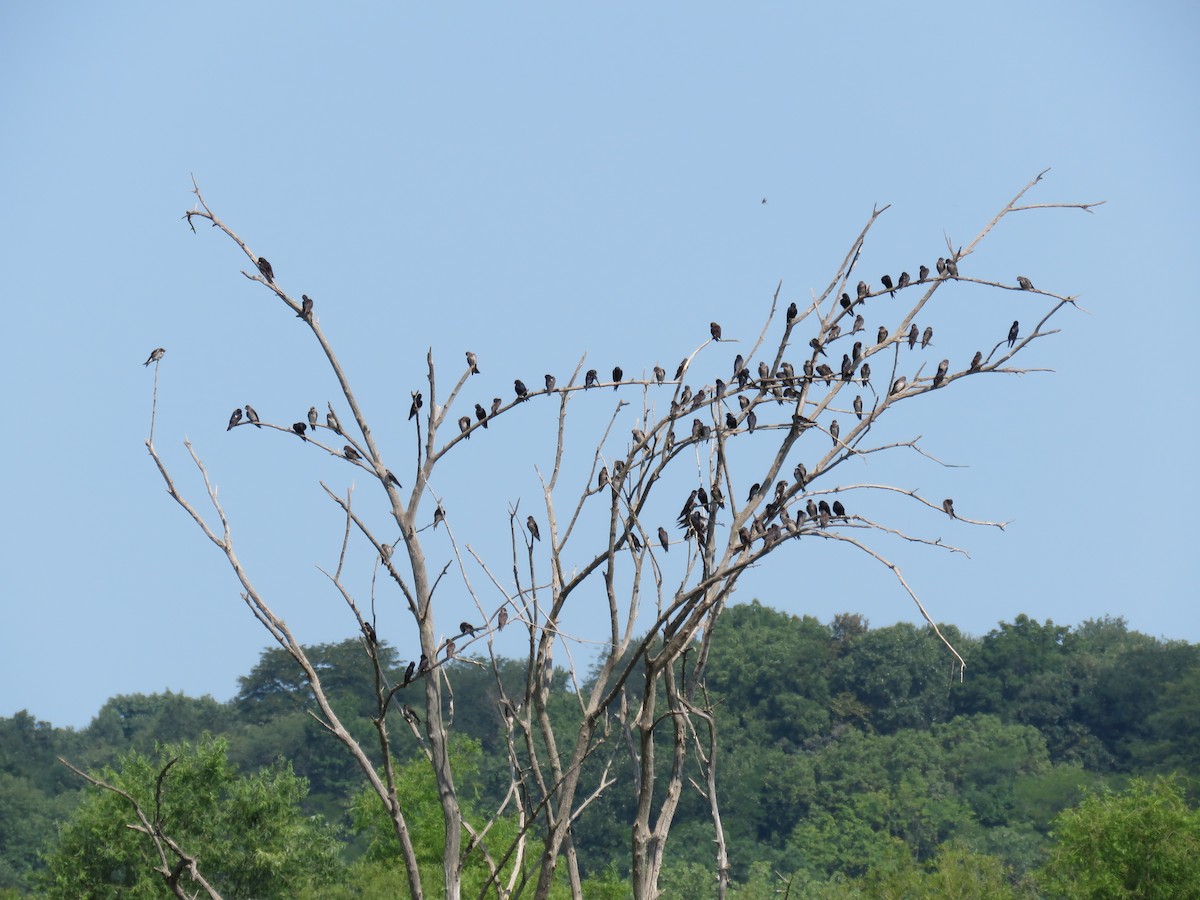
pixel 754 446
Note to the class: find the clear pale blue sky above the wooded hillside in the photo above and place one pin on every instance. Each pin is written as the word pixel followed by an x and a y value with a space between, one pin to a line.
pixel 539 183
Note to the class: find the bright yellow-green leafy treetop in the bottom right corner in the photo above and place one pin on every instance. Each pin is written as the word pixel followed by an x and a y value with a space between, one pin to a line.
pixel 1143 843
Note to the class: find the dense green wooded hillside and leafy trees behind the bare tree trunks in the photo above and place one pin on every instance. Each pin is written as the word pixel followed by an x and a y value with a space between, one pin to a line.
pixel 854 764
